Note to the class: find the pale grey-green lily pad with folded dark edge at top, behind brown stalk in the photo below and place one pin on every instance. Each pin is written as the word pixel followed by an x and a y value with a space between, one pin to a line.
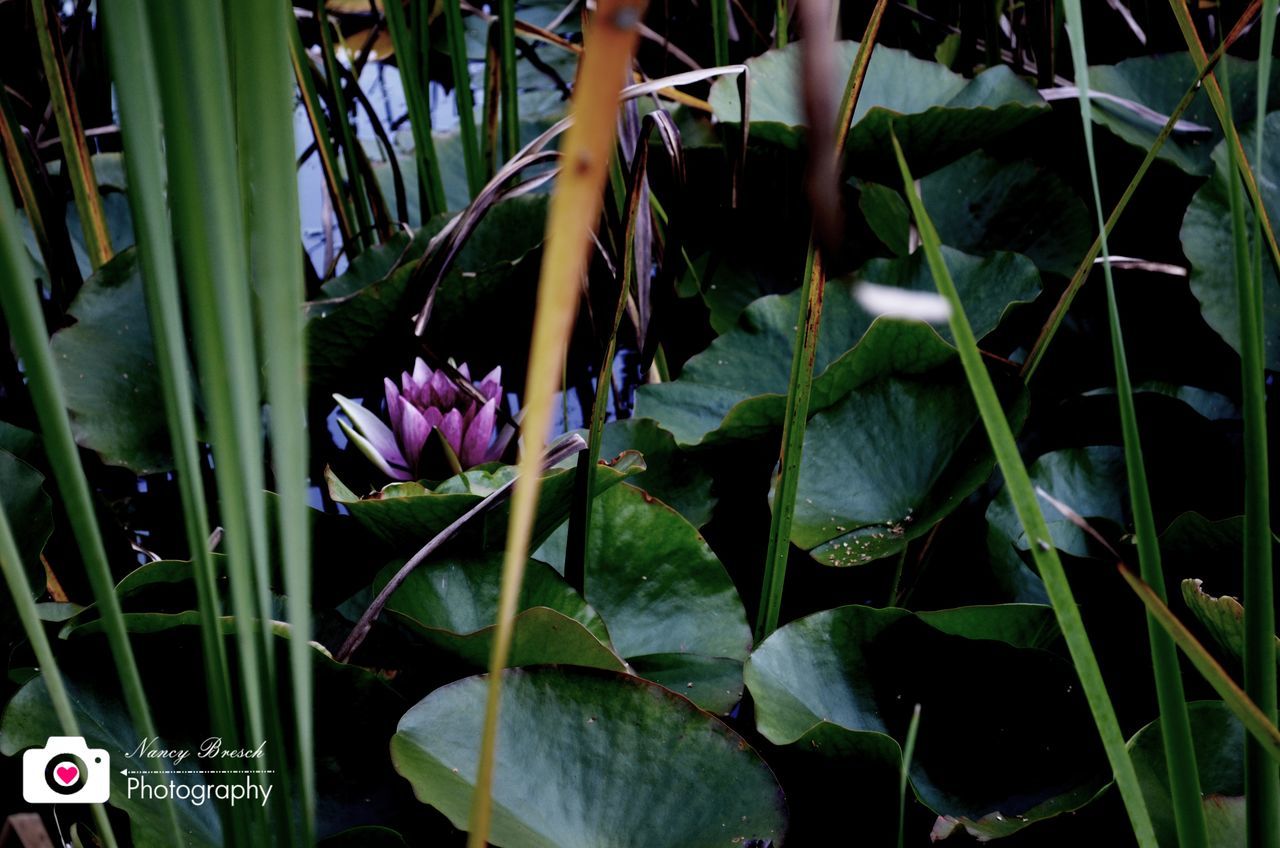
pixel 939 116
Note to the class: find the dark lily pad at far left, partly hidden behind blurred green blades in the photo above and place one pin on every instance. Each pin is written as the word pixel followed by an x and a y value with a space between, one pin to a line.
pixel 107 364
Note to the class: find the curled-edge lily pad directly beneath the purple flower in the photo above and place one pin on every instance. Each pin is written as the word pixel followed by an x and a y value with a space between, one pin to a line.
pixel 406 516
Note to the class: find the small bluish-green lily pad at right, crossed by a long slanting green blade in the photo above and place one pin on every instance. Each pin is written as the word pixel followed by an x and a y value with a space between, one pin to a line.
pixel 1089 480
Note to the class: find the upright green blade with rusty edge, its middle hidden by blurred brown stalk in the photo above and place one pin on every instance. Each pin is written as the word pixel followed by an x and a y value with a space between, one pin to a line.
pixel 801 385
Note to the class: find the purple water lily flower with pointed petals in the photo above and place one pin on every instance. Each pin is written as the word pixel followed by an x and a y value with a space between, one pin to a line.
pixel 427 402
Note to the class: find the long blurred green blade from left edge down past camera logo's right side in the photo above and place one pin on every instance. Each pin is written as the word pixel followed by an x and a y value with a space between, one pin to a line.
pixel 22 312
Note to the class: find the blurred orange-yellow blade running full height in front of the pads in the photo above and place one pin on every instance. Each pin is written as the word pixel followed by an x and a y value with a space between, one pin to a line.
pixel 572 220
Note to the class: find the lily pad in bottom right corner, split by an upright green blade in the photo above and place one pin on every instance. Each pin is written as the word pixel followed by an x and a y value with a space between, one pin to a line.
pixel 1219 741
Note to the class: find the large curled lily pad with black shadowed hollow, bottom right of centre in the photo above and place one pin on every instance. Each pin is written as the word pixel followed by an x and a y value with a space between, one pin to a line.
pixel 844 683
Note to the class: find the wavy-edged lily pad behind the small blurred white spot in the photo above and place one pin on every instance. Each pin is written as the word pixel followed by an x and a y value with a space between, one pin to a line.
pixel 737 389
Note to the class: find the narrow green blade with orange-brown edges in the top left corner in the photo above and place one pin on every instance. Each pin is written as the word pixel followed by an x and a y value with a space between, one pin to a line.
pixel 80 167
